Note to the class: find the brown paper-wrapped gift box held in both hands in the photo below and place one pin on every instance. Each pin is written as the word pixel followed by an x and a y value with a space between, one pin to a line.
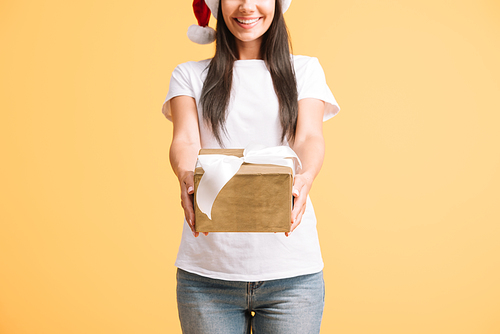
pixel 257 199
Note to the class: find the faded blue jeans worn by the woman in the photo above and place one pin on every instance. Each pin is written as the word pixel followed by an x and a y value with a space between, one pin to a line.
pixel 289 305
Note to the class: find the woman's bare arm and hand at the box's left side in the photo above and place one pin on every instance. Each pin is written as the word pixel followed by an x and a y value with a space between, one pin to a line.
pixel 184 150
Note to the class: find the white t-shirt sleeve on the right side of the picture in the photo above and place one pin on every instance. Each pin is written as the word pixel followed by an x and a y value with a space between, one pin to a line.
pixel 314 86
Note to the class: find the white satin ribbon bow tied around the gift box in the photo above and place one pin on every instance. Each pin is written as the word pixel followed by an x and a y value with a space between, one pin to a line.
pixel 219 169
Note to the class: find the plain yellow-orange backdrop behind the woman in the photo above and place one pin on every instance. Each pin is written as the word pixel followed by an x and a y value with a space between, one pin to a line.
pixel 407 200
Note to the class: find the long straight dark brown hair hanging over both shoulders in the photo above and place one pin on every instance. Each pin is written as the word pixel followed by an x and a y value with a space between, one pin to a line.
pixel 275 51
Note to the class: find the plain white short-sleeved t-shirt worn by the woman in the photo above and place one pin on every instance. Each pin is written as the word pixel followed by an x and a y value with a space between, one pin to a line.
pixel 253 117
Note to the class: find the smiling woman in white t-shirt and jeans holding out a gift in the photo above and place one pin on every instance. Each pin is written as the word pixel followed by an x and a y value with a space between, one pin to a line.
pixel 252 90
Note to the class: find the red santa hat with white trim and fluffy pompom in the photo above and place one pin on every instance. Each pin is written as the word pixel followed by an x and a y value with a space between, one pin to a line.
pixel 202 33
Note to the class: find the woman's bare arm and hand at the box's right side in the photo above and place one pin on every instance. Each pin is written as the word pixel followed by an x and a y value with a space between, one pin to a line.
pixel 310 147
